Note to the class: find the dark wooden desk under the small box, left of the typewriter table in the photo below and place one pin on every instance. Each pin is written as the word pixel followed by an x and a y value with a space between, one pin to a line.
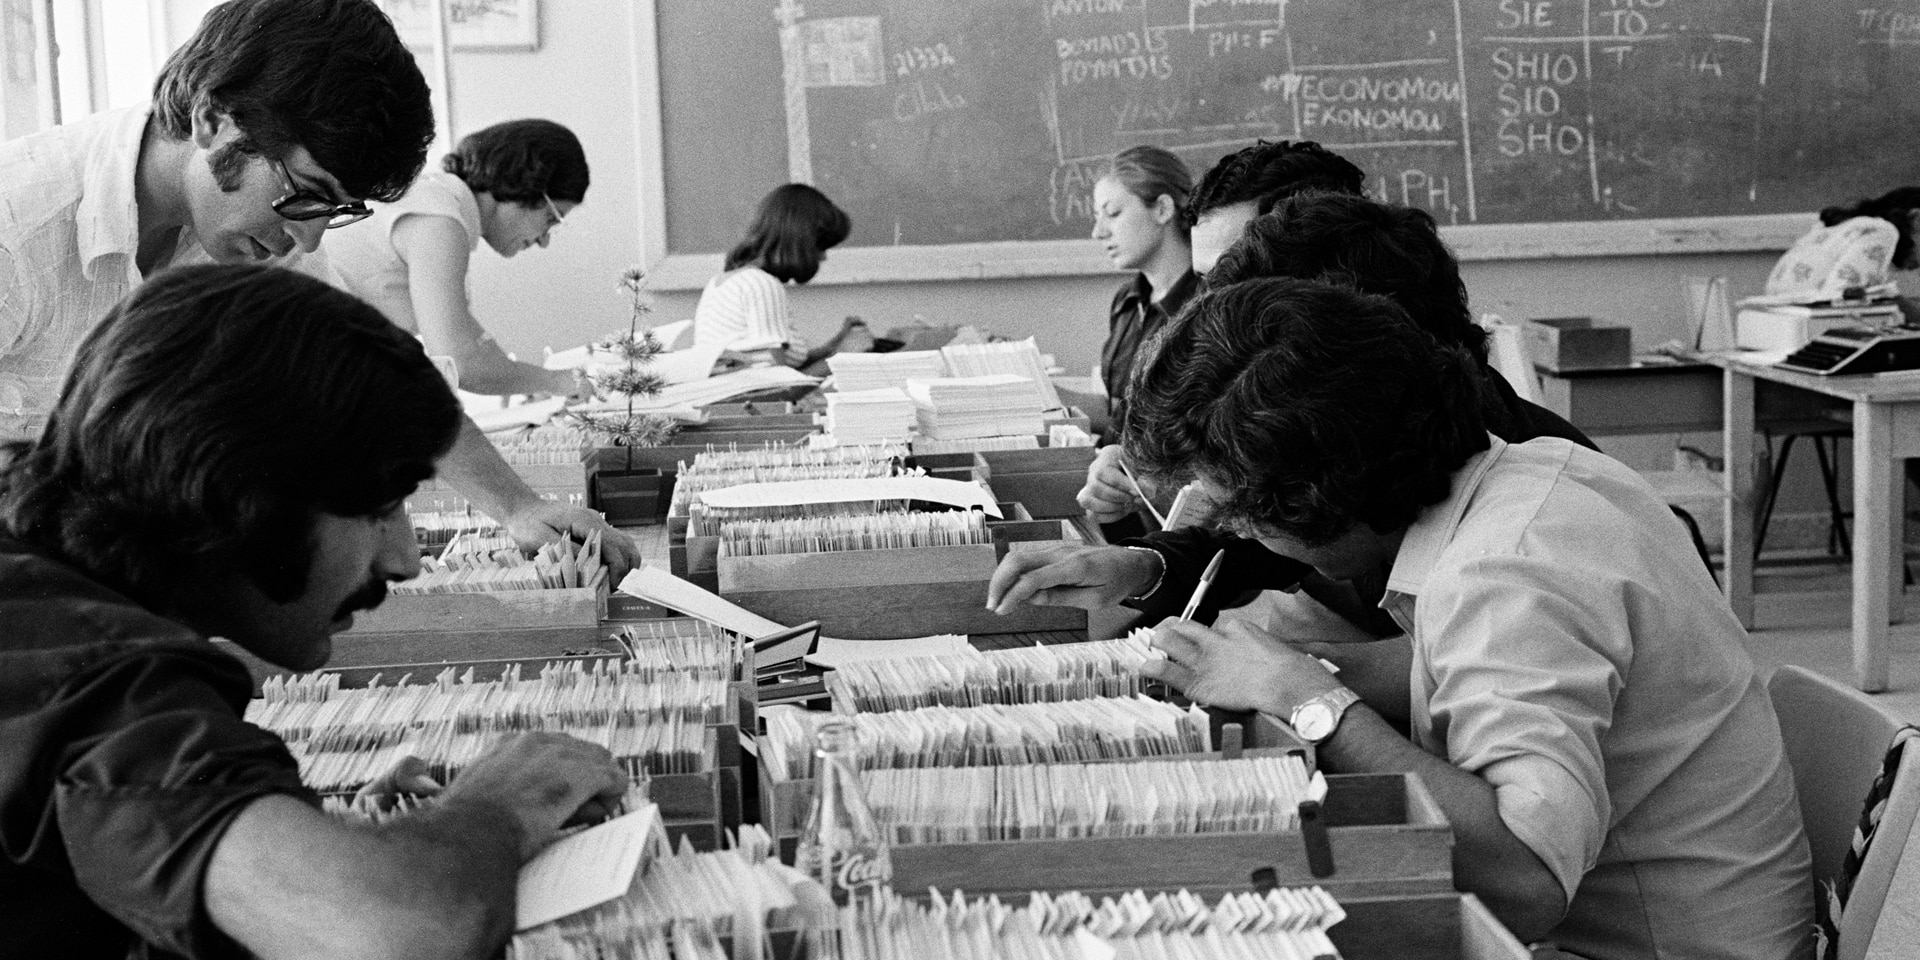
pixel 1648 396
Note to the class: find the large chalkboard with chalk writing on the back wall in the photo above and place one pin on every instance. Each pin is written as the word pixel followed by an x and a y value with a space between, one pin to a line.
pixel 984 122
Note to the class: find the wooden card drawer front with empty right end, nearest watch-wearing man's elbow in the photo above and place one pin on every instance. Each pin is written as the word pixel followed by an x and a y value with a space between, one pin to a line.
pixel 1389 838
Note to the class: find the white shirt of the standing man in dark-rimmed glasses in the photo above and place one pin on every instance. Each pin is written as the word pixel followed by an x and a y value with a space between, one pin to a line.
pixel 70 233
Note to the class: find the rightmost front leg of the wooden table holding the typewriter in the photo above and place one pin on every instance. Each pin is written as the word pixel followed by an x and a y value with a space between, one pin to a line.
pixel 1873 542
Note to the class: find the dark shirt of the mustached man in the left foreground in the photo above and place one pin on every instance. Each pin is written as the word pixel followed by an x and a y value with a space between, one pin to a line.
pixel 124 757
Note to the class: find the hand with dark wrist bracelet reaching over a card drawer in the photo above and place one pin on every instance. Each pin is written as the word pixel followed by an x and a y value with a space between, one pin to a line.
pixel 1090 579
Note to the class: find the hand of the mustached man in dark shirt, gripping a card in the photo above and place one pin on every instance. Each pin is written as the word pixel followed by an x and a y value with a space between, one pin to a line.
pixel 546 782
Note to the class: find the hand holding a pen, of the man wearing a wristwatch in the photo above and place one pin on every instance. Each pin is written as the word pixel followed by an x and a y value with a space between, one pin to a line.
pixel 1237 669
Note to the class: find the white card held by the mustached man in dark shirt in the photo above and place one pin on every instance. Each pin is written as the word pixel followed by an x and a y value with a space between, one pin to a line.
pixel 587 869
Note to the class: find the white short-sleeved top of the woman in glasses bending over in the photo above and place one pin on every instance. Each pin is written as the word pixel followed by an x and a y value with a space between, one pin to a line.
pixel 370 266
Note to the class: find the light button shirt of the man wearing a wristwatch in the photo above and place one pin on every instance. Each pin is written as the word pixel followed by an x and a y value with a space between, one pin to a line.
pixel 1572 650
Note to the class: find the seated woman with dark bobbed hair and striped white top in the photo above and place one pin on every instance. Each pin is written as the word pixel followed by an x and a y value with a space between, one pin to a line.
pixel 746 308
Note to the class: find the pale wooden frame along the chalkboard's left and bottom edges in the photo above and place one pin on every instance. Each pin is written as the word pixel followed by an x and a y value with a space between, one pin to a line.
pixel 1082 258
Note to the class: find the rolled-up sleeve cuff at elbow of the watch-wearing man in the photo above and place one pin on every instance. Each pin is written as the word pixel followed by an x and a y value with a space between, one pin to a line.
pixel 1550 813
